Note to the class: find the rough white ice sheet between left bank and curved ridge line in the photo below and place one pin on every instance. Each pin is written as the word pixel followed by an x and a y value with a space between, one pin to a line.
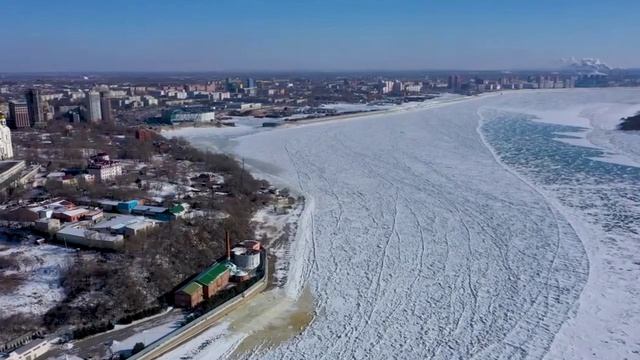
pixel 417 233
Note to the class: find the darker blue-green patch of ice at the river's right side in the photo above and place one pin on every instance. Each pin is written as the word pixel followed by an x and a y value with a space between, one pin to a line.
pixel 580 176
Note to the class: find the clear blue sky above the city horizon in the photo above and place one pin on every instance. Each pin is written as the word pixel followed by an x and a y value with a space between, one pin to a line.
pixel 194 35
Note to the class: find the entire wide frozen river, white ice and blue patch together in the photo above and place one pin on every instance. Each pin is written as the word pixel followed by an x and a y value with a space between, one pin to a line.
pixel 466 230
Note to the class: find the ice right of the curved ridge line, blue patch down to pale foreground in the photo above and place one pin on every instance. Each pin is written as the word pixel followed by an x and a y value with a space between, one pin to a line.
pixel 602 198
